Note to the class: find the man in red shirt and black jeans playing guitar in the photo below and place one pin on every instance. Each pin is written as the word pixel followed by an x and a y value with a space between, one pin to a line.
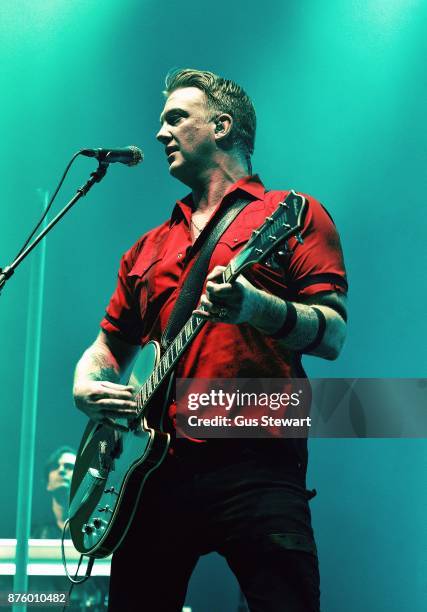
pixel 245 499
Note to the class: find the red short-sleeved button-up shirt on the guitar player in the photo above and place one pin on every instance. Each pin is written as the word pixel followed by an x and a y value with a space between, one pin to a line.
pixel 153 271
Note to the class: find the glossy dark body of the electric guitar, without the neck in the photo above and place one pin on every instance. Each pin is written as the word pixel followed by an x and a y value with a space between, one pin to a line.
pixel 111 470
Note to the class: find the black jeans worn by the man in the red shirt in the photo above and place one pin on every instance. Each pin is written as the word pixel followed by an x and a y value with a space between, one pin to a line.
pixel 252 510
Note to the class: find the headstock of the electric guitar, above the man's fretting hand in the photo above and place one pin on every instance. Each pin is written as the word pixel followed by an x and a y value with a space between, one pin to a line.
pixel 285 222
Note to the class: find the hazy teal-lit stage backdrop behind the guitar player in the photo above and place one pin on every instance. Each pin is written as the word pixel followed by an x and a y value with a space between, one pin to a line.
pixel 340 93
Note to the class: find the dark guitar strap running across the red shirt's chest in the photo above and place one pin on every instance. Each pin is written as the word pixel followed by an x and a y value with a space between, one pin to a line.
pixel 191 289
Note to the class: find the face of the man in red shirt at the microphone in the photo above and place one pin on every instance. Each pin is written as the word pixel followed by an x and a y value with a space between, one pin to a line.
pixel 187 133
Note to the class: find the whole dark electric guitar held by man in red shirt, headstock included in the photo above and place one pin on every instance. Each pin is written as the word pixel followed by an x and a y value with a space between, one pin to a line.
pixel 112 466
